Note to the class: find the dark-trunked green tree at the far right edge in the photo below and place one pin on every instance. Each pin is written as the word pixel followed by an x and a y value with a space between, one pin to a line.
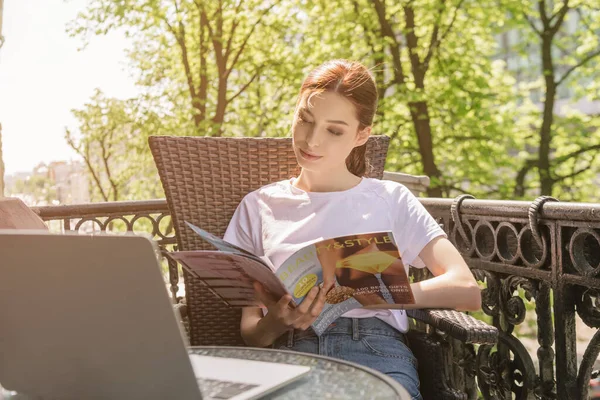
pixel 564 36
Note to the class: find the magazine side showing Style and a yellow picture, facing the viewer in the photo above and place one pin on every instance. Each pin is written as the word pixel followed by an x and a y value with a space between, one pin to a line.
pixel 367 269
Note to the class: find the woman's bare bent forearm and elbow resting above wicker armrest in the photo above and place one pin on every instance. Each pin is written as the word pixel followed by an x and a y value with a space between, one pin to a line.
pixel 453 285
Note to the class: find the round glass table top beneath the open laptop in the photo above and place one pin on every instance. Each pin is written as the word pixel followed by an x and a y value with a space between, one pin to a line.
pixel 329 378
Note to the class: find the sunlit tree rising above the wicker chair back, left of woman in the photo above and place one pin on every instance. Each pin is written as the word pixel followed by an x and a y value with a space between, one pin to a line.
pixel 201 59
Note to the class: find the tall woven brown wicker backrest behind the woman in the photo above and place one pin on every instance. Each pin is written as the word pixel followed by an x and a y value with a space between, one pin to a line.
pixel 204 180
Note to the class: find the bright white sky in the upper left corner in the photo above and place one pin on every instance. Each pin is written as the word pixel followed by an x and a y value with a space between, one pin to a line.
pixel 43 77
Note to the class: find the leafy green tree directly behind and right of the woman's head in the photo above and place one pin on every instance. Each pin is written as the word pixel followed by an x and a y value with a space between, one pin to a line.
pixel 447 105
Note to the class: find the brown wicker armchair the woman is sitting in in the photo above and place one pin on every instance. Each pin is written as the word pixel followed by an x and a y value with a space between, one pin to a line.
pixel 204 181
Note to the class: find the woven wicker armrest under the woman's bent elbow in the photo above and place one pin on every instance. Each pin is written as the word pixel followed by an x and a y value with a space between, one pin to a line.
pixel 458 325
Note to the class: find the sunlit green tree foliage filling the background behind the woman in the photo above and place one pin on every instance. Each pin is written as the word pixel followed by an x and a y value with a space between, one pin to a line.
pixel 234 67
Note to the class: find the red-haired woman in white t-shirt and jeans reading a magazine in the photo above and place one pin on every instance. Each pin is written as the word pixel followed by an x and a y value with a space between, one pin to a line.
pixel 331 198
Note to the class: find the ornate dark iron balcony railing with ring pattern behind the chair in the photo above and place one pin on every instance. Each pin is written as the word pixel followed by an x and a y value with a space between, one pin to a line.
pixel 536 261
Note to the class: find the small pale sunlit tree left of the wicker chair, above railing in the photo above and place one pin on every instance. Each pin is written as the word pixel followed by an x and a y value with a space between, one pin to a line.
pixel 112 141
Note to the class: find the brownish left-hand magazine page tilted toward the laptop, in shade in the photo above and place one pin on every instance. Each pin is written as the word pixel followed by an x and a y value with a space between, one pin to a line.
pixel 230 275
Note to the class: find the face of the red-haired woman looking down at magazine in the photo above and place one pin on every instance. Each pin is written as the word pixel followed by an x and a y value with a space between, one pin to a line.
pixel 325 130
